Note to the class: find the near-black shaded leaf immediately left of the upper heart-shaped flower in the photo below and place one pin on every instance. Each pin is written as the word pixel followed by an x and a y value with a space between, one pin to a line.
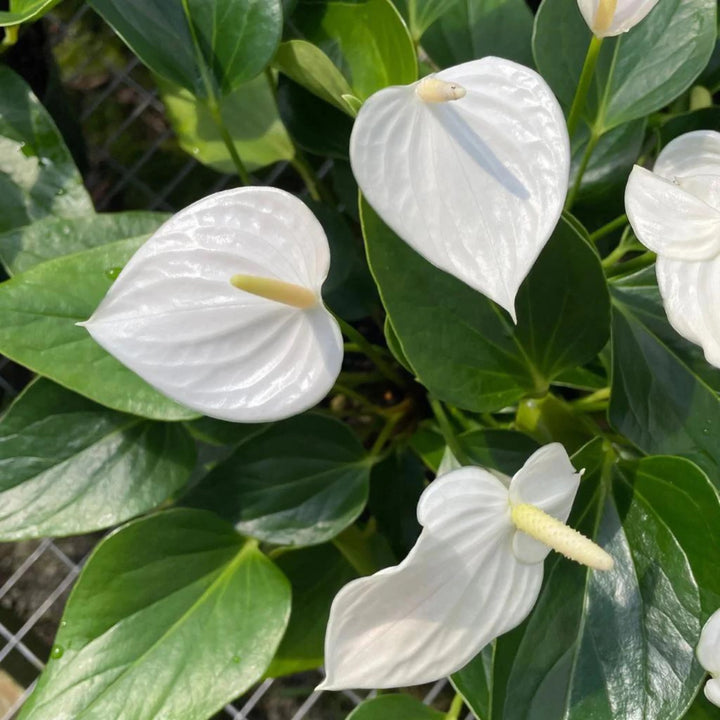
pixel 316 127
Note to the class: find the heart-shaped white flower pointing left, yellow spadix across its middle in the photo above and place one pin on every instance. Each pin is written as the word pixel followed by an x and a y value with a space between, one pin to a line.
pixel 221 308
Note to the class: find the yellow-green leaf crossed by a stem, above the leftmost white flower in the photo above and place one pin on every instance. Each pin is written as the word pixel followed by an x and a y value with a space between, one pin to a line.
pixel 250 115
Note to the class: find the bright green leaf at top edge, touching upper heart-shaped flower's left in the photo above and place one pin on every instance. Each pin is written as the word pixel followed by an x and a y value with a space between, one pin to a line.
pixel 367 41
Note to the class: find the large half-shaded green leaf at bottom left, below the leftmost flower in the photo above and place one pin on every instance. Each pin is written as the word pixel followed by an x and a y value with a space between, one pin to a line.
pixel 173 603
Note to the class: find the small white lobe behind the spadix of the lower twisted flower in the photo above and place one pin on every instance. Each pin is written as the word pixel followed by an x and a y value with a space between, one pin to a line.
pixel 550 482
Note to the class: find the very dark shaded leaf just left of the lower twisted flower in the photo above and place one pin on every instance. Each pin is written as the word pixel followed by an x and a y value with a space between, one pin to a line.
pixel 396 484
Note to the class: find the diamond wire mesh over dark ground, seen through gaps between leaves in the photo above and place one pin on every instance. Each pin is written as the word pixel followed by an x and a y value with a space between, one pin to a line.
pixel 130 160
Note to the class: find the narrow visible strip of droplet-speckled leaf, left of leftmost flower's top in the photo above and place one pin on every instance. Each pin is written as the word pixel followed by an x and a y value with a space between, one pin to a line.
pixel 52 237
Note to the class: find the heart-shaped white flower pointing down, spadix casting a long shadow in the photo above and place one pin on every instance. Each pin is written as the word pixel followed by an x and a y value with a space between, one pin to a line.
pixel 469 167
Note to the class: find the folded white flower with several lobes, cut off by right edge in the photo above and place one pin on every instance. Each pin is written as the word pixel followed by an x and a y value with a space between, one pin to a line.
pixel 675 211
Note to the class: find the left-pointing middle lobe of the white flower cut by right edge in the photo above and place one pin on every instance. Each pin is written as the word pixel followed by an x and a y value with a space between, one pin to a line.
pixel 669 219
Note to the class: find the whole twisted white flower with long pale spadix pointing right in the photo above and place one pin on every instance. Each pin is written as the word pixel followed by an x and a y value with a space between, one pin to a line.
pixel 474 573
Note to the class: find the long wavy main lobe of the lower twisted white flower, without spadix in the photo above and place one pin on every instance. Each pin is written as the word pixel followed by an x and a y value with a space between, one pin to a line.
pixel 458 589
